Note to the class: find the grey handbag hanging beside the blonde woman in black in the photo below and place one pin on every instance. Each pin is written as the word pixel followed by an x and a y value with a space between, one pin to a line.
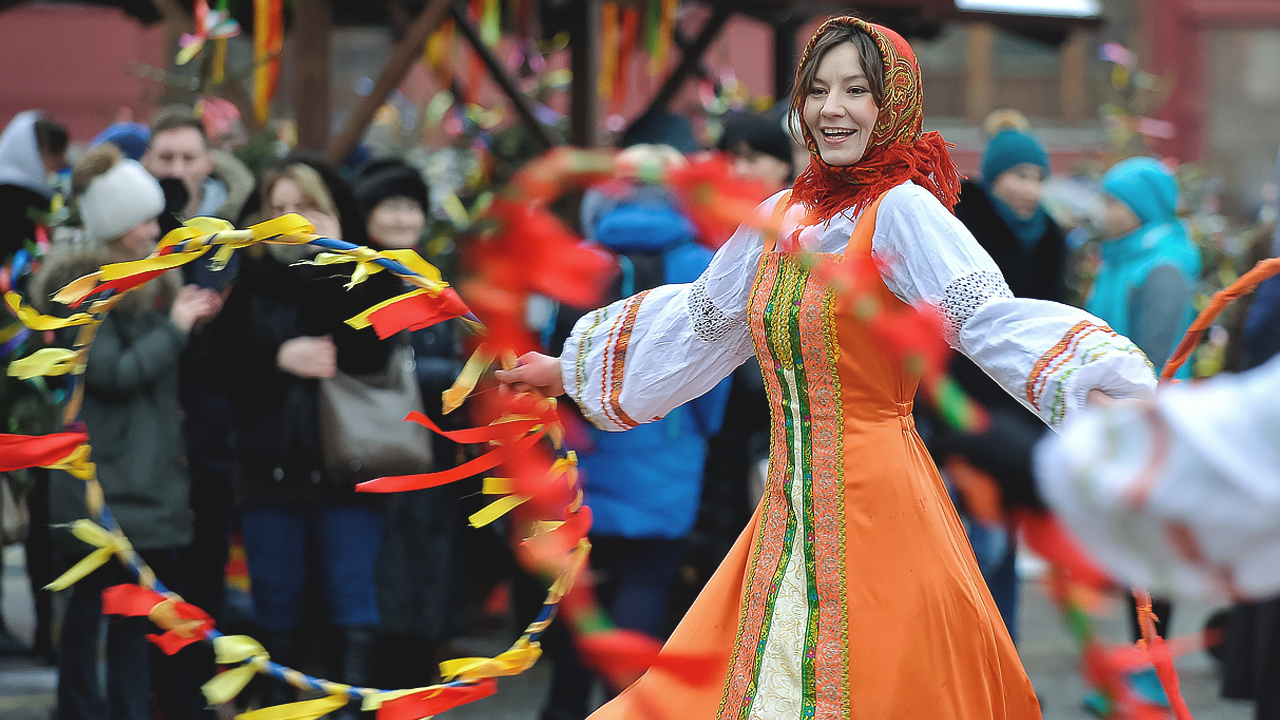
pixel 362 423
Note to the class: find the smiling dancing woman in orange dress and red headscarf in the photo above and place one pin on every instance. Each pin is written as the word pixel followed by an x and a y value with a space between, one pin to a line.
pixel 853 593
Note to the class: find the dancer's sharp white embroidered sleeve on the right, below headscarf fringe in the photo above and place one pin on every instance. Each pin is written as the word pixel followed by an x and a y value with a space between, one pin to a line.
pixel 1045 354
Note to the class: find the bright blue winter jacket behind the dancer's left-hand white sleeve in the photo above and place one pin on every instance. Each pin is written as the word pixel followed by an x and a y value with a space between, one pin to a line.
pixel 647 482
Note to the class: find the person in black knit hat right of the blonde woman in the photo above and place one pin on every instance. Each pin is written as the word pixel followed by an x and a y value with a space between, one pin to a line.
pixel 418 610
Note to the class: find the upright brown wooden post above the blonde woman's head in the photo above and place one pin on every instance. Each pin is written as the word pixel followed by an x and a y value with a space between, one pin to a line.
pixel 313 108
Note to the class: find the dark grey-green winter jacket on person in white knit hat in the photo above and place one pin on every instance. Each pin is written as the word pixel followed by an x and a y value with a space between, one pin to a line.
pixel 134 420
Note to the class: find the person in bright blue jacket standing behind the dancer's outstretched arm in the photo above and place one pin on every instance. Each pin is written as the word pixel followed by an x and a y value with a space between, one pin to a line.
pixel 643 485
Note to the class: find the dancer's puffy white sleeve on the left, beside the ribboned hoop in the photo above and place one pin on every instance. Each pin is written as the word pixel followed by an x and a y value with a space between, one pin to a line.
pixel 643 357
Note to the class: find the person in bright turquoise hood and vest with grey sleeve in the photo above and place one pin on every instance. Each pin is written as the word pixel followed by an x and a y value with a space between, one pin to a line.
pixel 1150 266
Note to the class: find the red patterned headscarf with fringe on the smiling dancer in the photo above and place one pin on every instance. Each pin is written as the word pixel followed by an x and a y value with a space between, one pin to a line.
pixel 897 152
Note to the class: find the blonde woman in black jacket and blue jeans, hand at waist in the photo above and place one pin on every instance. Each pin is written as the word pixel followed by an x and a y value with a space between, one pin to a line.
pixel 282 332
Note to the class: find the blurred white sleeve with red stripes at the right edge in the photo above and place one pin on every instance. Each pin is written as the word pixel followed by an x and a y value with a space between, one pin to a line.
pixel 1182 495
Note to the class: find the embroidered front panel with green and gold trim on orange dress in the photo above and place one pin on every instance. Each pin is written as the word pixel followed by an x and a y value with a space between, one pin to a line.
pixel 796 586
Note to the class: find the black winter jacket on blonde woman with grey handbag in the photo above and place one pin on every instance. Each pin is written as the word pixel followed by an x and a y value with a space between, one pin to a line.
pixel 275 414
